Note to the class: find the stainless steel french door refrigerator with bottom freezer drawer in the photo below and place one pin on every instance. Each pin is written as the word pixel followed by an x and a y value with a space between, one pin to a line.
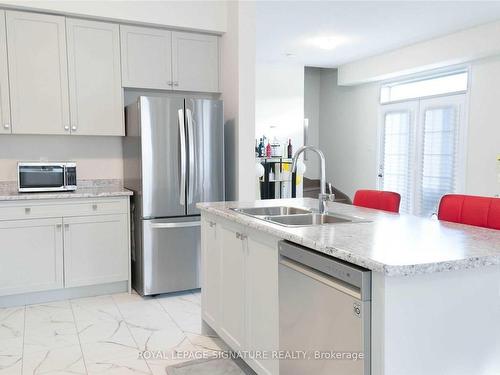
pixel 173 158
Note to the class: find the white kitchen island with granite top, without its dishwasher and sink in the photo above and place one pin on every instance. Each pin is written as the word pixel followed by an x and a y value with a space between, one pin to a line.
pixel 435 295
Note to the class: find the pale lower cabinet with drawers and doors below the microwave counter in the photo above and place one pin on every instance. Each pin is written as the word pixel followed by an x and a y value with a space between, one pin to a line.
pixel 55 244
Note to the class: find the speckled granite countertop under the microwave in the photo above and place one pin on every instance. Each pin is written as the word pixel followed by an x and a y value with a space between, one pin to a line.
pixel 86 189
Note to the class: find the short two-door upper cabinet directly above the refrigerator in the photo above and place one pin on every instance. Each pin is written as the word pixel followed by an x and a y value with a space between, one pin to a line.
pixel 162 59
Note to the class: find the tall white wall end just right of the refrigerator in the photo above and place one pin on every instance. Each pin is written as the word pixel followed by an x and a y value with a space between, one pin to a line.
pixel 238 93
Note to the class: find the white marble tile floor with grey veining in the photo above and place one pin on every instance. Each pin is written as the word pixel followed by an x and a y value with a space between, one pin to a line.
pixel 112 334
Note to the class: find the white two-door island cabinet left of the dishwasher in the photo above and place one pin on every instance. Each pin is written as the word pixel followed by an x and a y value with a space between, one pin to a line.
pixel 240 289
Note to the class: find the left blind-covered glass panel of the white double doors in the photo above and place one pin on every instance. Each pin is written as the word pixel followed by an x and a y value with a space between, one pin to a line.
pixel 397 144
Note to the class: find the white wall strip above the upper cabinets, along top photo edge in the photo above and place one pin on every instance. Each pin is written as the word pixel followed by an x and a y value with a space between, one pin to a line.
pixel 197 15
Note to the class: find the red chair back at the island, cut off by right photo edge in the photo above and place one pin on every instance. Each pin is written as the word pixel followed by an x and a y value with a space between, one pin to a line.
pixel 471 210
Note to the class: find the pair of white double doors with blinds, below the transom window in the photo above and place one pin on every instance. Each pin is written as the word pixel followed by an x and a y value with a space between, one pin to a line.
pixel 421 150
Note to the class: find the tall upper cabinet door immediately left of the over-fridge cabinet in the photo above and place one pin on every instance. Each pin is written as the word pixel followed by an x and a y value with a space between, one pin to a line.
pixel 95 89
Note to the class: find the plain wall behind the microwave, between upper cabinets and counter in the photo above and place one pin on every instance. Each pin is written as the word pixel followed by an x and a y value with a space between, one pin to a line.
pixel 96 157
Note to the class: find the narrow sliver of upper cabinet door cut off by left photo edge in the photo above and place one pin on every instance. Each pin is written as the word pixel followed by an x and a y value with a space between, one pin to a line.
pixel 4 80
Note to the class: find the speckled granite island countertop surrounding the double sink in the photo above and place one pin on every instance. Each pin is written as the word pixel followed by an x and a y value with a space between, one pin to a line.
pixel 396 245
